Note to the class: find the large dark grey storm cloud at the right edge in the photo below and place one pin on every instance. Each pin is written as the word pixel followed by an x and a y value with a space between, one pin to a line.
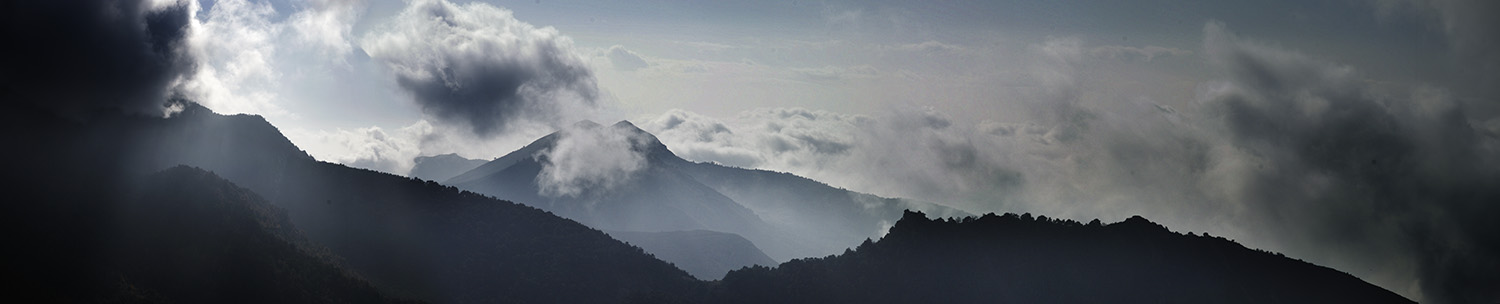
pixel 1376 174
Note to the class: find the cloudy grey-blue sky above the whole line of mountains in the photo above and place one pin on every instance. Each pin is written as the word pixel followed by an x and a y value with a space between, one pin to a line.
pixel 1361 136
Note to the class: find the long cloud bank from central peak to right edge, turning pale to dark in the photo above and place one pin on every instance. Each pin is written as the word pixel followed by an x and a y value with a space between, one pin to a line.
pixel 1393 183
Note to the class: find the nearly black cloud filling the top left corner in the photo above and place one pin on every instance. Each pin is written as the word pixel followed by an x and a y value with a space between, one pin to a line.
pixel 83 56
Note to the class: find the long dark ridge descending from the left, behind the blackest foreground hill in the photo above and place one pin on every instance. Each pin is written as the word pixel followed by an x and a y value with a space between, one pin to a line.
pixel 412 239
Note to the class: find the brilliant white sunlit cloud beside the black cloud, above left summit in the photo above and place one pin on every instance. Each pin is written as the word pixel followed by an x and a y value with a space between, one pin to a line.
pixel 245 50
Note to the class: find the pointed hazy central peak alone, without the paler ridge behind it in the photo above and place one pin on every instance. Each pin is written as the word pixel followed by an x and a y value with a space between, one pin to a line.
pixel 659 198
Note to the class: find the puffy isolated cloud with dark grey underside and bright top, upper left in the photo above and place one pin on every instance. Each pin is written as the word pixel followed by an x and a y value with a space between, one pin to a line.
pixel 479 67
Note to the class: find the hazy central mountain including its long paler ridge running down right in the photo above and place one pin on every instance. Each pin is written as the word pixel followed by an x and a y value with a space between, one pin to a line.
pixel 784 215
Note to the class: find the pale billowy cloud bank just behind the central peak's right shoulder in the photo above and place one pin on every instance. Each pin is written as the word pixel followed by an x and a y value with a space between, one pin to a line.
pixel 914 153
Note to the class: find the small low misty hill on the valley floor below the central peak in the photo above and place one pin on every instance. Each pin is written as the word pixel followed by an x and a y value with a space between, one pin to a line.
pixel 709 255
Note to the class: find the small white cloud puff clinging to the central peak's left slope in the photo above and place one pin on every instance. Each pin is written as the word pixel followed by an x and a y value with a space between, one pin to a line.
pixel 590 159
